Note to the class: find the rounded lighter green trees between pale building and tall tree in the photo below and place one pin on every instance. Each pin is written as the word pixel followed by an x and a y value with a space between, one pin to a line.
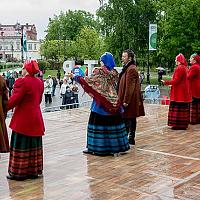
pixel 73 34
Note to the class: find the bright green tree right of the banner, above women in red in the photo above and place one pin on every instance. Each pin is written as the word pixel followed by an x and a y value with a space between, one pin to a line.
pixel 179 28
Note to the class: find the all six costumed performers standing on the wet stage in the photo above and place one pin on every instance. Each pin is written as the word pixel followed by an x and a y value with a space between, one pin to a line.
pixel 117 102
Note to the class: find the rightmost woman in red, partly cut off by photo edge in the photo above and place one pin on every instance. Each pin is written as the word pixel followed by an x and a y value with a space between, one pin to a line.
pixel 194 83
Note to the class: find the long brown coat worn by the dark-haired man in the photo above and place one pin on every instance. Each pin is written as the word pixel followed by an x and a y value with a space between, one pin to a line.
pixel 129 92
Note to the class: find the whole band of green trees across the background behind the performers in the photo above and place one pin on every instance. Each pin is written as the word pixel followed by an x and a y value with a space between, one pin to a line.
pixel 125 24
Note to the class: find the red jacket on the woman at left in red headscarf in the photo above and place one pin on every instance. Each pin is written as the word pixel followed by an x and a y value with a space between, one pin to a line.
pixel 26 98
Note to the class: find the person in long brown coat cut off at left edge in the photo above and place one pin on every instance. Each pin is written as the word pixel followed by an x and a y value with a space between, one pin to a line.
pixel 4 144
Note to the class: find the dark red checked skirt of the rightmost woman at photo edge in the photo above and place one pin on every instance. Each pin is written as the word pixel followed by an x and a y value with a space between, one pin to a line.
pixel 195 111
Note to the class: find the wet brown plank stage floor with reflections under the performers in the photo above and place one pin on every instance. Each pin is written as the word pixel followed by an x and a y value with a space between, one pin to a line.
pixel 163 165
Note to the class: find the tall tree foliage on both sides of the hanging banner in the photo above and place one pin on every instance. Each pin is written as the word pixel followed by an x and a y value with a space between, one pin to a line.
pixel 125 24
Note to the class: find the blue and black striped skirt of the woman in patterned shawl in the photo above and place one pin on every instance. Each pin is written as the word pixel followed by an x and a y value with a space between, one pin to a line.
pixel 106 134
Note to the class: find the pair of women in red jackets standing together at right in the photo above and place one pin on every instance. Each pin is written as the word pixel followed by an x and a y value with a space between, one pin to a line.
pixel 184 108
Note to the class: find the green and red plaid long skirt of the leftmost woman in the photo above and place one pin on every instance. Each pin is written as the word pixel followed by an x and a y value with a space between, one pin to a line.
pixel 26 155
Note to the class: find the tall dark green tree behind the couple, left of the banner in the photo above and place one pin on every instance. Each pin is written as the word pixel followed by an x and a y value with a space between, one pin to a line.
pixel 125 25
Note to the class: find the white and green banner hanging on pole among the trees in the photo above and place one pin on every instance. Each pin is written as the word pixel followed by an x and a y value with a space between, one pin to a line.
pixel 152 36
